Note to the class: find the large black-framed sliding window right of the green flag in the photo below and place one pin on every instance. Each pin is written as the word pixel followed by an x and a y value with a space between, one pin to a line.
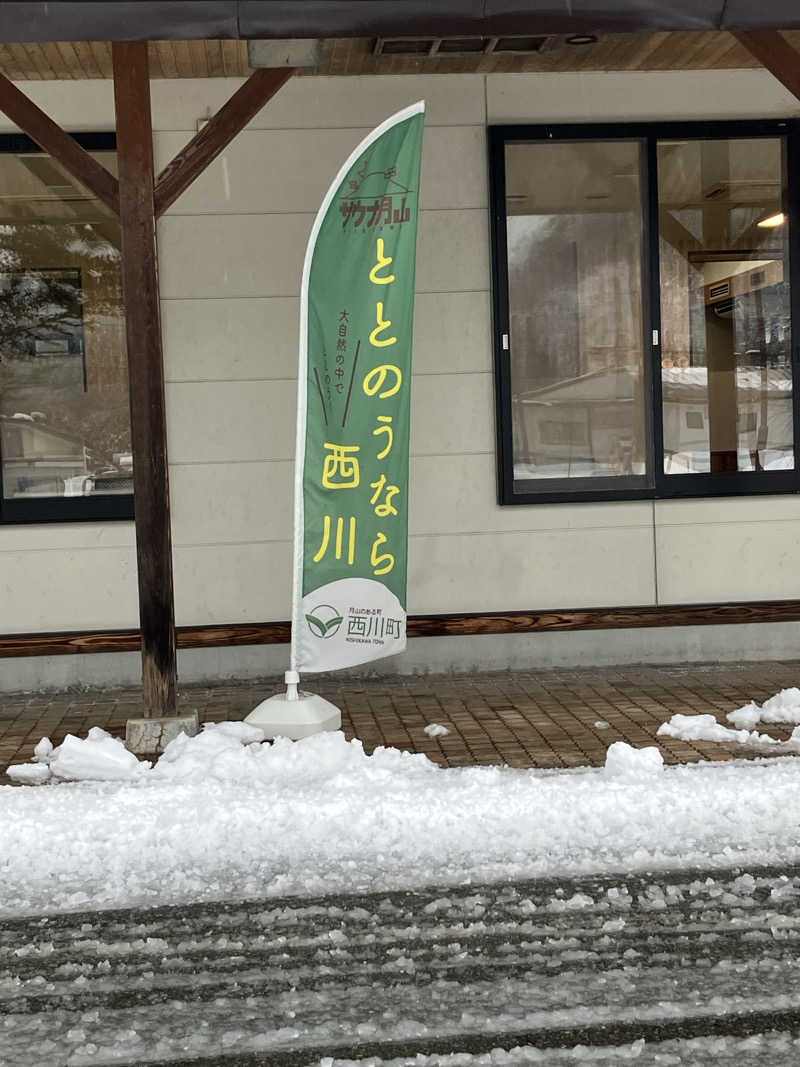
pixel 643 291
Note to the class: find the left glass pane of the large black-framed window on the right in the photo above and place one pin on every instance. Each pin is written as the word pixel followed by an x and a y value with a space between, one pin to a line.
pixel 574 224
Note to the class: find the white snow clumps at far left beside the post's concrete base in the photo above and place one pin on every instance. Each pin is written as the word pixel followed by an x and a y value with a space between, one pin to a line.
pixel 98 758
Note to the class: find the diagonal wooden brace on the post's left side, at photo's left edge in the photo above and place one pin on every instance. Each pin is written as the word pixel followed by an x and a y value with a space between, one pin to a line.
pixel 60 145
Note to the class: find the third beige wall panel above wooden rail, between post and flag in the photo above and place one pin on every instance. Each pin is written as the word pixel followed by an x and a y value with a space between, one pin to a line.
pixel 229 422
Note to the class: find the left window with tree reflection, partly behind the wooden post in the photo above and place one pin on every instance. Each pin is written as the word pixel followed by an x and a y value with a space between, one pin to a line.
pixel 66 451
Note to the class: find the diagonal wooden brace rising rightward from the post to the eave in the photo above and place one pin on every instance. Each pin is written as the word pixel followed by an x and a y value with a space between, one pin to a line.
pixel 217 135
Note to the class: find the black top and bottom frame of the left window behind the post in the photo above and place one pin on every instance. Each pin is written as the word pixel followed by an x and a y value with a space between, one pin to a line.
pixel 108 507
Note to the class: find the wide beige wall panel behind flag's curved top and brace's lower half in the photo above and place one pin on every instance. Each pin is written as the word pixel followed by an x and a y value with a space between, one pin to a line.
pixel 290 171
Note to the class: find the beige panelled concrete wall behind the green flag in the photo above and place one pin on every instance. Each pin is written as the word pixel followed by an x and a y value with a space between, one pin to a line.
pixel 232 250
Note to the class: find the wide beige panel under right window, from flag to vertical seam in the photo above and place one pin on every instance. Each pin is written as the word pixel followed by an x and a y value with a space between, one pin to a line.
pixel 520 571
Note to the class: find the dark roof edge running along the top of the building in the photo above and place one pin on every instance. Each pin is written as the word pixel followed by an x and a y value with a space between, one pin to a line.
pixel 243 20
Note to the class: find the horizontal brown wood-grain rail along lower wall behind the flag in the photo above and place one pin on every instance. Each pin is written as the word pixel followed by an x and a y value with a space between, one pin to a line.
pixel 420 626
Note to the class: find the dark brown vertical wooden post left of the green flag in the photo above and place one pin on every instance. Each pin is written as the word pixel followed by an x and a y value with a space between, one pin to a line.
pixel 147 376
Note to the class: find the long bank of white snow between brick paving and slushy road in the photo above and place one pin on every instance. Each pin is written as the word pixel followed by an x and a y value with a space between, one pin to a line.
pixel 225 815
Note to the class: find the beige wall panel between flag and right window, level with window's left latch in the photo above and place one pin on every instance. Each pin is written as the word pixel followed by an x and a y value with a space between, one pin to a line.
pixel 453 333
